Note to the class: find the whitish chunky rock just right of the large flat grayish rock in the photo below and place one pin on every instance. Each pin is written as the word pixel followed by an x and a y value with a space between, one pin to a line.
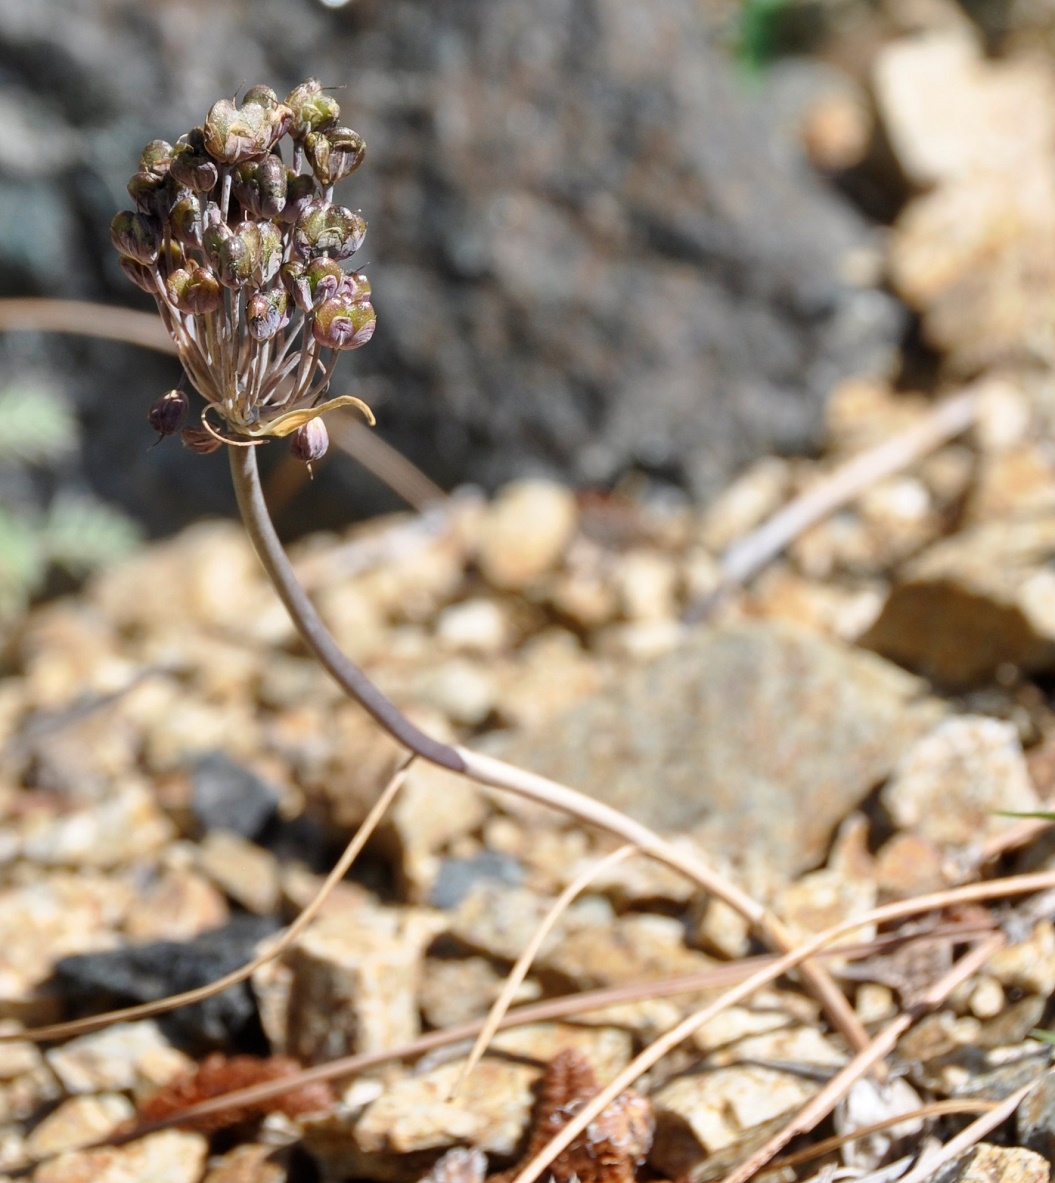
pixel 950 786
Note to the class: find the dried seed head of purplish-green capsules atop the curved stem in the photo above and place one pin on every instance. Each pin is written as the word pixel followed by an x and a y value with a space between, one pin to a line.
pixel 243 255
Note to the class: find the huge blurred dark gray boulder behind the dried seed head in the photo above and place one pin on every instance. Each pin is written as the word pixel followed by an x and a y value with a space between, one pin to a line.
pixel 592 247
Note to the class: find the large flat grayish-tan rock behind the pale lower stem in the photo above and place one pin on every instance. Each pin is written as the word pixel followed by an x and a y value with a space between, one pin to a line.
pixel 759 740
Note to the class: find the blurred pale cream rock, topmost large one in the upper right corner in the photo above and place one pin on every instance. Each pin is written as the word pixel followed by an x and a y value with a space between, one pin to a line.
pixel 950 113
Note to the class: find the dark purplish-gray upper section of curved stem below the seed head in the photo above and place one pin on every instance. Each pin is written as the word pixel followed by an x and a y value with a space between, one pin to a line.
pixel 316 637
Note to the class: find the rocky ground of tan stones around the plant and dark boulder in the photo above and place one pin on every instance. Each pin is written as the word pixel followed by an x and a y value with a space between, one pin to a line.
pixel 846 731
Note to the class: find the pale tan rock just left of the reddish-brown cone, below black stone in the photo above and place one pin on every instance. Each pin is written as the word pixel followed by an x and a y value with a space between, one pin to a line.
pixel 118 1059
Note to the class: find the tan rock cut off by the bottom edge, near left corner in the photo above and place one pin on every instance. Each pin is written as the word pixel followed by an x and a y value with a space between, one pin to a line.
pixel 170 1156
